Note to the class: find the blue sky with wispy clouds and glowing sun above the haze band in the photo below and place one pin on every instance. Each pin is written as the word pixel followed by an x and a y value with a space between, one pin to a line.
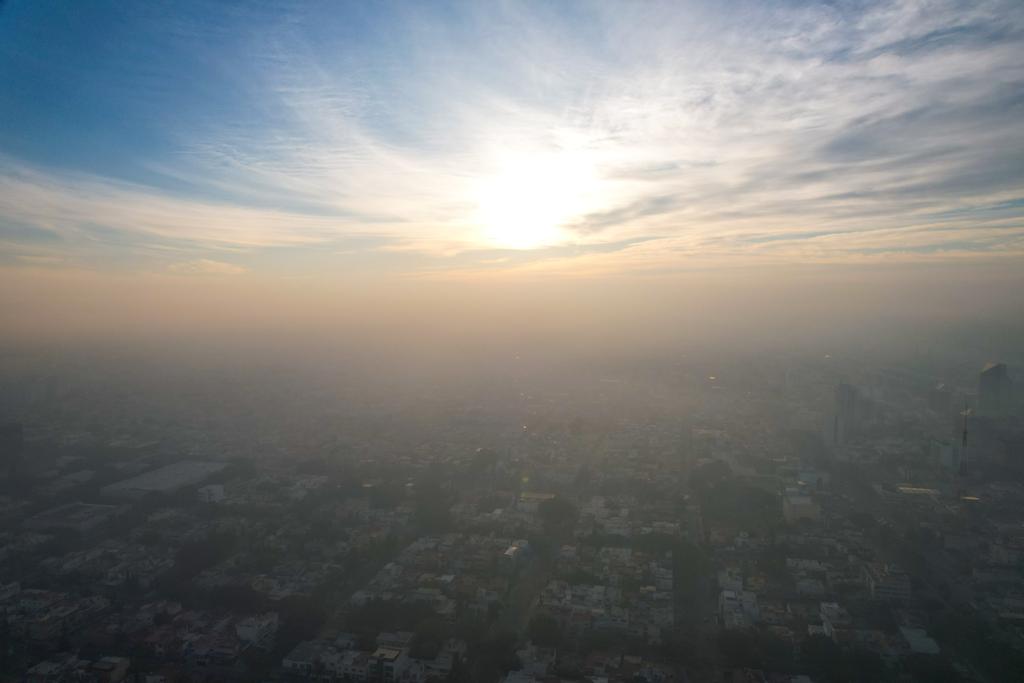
pixel 212 140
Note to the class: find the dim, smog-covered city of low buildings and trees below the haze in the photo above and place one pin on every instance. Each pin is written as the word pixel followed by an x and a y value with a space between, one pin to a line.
pixel 805 519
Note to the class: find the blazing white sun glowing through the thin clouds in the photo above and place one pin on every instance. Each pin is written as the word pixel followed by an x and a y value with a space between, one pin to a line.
pixel 531 199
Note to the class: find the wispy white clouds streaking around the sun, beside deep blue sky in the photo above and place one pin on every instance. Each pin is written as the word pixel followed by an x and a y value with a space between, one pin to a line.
pixel 777 133
